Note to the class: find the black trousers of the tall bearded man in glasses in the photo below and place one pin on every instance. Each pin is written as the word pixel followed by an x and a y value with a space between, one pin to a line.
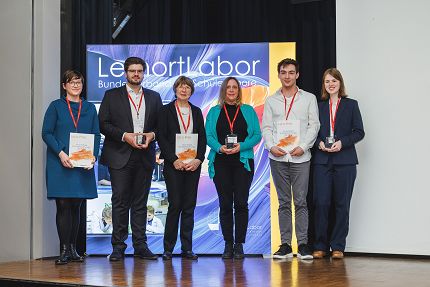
pixel 130 190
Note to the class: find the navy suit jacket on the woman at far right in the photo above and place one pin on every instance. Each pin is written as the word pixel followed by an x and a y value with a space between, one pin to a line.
pixel 348 129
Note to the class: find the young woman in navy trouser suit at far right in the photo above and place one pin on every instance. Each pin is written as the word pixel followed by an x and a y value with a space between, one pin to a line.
pixel 334 163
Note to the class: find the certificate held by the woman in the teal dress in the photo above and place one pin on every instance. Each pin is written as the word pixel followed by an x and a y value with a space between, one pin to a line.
pixel 81 149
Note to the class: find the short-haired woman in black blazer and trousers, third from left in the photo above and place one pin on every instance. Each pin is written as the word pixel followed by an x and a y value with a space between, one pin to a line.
pixel 182 179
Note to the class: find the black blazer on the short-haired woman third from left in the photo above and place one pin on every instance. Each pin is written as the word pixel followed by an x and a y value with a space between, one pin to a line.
pixel 169 126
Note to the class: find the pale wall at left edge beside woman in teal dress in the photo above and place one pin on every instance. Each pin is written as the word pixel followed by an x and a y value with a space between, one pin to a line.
pixel 29 69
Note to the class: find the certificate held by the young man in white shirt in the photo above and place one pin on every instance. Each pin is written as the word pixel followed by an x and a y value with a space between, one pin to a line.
pixel 287 134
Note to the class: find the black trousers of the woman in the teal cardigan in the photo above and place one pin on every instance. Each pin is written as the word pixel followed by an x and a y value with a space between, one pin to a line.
pixel 232 182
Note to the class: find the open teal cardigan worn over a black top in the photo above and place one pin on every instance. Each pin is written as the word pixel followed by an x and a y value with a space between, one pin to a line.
pixel 246 147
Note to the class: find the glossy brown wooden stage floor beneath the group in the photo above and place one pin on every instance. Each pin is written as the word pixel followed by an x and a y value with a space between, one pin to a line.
pixel 213 271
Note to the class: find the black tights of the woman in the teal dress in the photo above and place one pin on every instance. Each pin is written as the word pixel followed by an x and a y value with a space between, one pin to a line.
pixel 68 216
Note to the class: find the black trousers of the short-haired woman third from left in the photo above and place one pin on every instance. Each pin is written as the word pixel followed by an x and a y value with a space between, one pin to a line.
pixel 182 195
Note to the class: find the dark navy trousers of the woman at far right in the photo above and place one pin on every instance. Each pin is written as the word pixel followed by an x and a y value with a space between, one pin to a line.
pixel 333 185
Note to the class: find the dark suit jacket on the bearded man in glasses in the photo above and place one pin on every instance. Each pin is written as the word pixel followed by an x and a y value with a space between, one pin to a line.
pixel 115 119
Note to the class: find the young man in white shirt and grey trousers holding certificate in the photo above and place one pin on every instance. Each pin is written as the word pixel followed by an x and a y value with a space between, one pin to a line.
pixel 290 127
